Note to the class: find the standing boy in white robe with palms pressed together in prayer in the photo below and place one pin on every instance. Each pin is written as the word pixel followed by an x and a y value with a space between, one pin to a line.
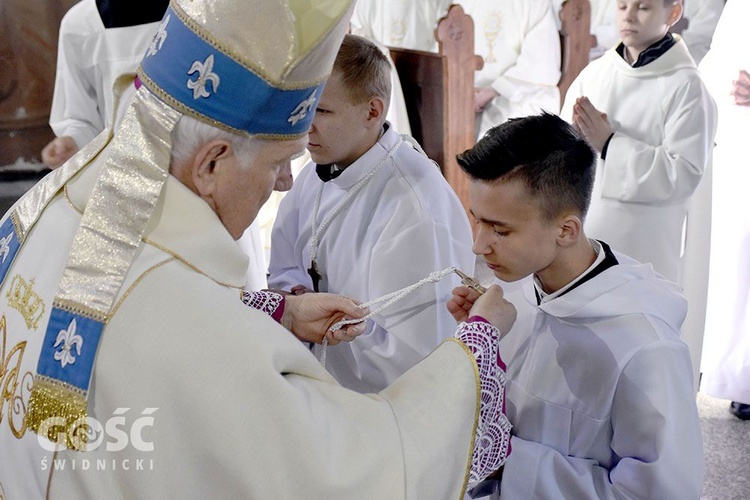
pixel 645 110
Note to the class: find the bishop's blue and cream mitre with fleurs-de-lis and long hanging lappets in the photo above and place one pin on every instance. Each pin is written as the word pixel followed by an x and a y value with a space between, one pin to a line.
pixel 252 68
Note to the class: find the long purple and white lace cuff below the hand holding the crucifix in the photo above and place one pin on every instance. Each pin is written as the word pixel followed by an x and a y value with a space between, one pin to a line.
pixel 492 441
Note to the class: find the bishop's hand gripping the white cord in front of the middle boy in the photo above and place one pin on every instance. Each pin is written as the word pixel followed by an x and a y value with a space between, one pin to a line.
pixel 309 316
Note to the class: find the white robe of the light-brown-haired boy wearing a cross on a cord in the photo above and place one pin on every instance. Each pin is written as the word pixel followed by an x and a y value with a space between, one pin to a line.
pixel 405 224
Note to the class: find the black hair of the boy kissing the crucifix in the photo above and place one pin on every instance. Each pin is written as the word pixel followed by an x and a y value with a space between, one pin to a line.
pixel 543 151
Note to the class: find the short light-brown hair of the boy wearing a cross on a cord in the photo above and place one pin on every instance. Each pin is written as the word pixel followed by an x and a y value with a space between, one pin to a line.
pixel 364 70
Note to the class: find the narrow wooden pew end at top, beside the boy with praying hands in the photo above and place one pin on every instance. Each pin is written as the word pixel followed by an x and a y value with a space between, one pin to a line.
pixel 575 41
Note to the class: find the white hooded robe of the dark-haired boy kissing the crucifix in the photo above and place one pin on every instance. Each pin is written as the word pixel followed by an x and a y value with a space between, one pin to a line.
pixel 600 392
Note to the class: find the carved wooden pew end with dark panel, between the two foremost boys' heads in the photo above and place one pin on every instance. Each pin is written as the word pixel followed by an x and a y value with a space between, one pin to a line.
pixel 439 93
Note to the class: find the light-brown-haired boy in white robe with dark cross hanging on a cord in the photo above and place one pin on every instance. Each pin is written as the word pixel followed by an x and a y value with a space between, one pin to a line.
pixel 404 224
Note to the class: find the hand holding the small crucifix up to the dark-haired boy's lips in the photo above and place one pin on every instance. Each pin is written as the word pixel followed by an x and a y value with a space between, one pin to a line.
pixel 491 305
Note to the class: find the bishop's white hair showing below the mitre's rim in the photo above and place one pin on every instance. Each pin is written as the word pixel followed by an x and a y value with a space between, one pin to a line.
pixel 190 134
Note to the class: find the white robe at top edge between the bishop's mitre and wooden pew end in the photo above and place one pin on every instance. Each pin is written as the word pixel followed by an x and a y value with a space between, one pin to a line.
pixel 400 23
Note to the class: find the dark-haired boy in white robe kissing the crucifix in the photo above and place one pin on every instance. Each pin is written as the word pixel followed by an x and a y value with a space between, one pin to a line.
pixel 599 384
